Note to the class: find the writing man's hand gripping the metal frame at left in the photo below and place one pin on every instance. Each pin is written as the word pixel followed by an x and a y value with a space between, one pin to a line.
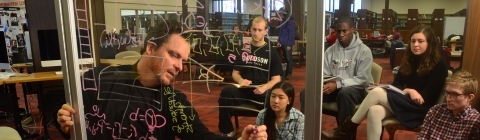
pixel 64 118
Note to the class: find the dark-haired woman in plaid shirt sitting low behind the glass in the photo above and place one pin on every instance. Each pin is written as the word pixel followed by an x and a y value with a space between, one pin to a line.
pixel 282 120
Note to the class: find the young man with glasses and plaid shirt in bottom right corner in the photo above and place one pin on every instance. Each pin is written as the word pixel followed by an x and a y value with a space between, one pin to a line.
pixel 455 119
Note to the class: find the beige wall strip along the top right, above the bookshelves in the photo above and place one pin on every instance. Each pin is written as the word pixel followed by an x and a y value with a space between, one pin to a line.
pixel 423 6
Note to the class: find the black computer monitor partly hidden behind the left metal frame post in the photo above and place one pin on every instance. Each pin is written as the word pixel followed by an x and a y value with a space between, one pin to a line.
pixel 50 49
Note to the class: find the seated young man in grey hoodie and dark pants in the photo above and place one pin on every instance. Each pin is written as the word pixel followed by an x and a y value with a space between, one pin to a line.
pixel 352 60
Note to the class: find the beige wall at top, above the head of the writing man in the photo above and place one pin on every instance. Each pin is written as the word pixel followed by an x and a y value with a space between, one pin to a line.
pixel 113 7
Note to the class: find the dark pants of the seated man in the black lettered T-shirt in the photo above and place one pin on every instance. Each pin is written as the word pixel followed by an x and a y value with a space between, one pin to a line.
pixel 233 96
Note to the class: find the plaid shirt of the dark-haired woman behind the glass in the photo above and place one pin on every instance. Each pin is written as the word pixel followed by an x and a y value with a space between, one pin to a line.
pixel 292 127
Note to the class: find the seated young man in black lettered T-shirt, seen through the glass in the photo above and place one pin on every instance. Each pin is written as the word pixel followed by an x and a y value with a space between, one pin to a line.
pixel 260 65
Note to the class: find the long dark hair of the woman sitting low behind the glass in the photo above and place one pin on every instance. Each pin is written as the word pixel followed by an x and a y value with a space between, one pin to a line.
pixel 270 116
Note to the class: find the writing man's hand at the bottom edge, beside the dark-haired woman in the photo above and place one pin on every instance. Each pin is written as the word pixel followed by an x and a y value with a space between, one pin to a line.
pixel 252 133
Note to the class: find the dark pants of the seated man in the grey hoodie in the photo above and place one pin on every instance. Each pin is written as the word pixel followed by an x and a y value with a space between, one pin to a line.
pixel 346 98
